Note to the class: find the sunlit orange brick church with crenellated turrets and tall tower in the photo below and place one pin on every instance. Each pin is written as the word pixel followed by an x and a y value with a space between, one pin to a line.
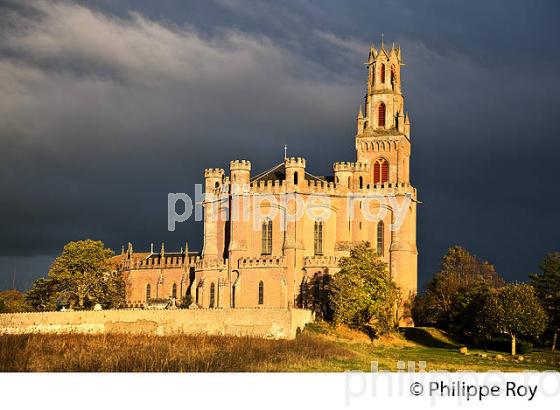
pixel 256 255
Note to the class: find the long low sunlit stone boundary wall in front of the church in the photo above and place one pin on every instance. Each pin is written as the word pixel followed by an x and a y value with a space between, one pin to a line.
pixel 266 322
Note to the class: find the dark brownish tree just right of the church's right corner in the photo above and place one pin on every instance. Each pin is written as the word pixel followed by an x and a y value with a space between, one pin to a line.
pixel 459 272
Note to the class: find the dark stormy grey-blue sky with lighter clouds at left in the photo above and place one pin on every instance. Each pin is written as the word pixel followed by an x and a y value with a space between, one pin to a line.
pixel 108 105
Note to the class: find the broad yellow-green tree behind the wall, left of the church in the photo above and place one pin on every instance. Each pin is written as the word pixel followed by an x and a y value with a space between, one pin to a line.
pixel 79 278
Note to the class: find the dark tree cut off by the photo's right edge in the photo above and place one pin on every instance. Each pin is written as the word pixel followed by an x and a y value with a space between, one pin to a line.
pixel 547 285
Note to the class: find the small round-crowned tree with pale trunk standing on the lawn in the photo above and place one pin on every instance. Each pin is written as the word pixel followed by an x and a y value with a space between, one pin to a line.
pixel 513 310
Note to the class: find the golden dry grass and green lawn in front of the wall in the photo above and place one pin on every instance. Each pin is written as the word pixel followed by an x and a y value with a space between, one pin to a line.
pixel 320 348
